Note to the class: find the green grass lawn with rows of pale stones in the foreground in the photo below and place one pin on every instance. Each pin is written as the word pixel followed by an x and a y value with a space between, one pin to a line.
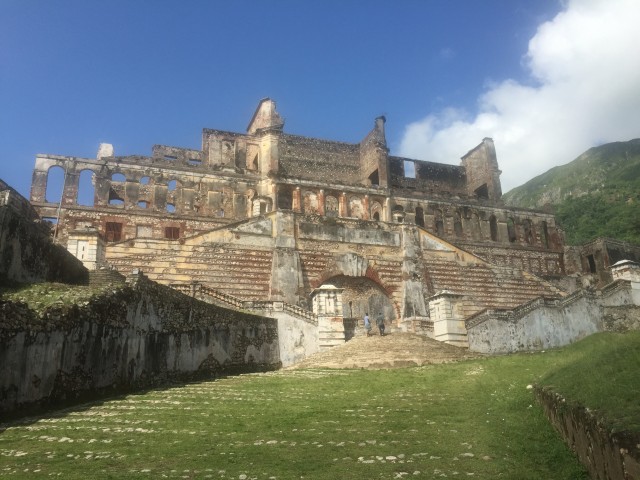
pixel 474 419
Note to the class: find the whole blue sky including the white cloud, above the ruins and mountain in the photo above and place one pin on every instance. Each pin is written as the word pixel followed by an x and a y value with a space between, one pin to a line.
pixel 445 73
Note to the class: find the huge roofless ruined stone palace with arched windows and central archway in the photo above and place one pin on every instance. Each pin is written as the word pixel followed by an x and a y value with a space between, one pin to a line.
pixel 331 228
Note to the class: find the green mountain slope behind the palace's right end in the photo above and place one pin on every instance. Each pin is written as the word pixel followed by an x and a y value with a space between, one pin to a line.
pixel 595 195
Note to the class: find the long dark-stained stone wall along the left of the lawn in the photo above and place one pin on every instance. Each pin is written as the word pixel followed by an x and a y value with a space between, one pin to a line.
pixel 132 336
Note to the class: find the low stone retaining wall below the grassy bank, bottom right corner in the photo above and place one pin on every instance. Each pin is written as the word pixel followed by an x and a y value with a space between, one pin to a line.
pixel 605 454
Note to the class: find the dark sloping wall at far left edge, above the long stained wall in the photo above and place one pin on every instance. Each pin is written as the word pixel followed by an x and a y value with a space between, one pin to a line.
pixel 27 253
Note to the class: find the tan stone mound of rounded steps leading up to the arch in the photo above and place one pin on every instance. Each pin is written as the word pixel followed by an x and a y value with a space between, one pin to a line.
pixel 394 350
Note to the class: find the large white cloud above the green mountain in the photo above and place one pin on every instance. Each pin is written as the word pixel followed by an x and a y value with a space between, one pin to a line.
pixel 586 67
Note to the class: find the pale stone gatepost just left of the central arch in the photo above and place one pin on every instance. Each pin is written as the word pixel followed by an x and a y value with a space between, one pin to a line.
pixel 327 305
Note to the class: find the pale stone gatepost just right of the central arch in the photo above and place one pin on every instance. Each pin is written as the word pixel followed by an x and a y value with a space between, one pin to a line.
pixel 445 310
